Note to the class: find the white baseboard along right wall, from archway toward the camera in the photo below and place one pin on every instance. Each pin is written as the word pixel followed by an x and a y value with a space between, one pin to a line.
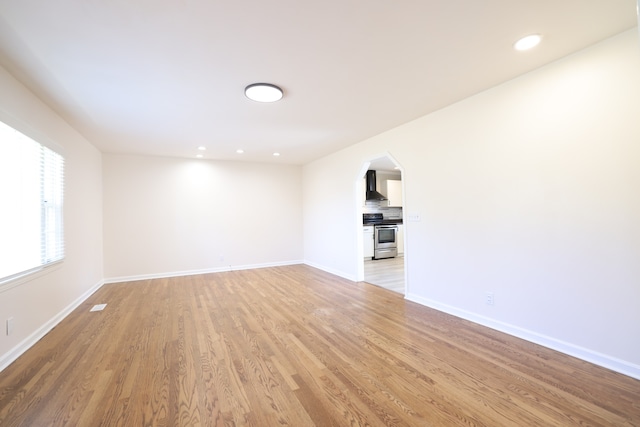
pixel 617 365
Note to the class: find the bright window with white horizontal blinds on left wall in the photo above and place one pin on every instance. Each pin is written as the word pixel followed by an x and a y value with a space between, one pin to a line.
pixel 31 198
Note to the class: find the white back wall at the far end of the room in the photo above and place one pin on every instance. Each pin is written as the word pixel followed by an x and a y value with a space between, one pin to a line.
pixel 166 216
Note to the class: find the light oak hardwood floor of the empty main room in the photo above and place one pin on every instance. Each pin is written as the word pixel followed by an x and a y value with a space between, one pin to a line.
pixel 299 347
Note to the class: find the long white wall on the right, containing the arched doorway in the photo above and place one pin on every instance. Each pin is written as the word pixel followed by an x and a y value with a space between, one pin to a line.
pixel 529 190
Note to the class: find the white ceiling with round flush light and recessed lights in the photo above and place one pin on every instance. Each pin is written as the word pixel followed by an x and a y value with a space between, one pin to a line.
pixel 161 77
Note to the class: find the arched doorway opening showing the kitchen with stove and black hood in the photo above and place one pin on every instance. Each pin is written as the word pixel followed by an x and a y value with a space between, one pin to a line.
pixel 383 209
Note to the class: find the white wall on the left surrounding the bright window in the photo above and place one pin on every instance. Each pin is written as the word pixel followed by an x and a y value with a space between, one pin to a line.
pixel 38 304
